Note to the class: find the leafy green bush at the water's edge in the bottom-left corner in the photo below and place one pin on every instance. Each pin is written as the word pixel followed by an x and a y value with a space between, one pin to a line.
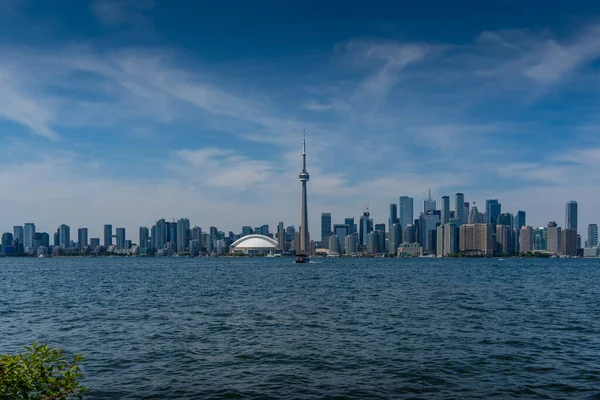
pixel 42 372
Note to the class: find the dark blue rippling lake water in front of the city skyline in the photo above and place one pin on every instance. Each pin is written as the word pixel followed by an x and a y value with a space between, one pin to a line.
pixel 341 328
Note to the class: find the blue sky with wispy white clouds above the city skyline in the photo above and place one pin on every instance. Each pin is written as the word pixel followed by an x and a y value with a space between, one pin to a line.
pixel 127 111
